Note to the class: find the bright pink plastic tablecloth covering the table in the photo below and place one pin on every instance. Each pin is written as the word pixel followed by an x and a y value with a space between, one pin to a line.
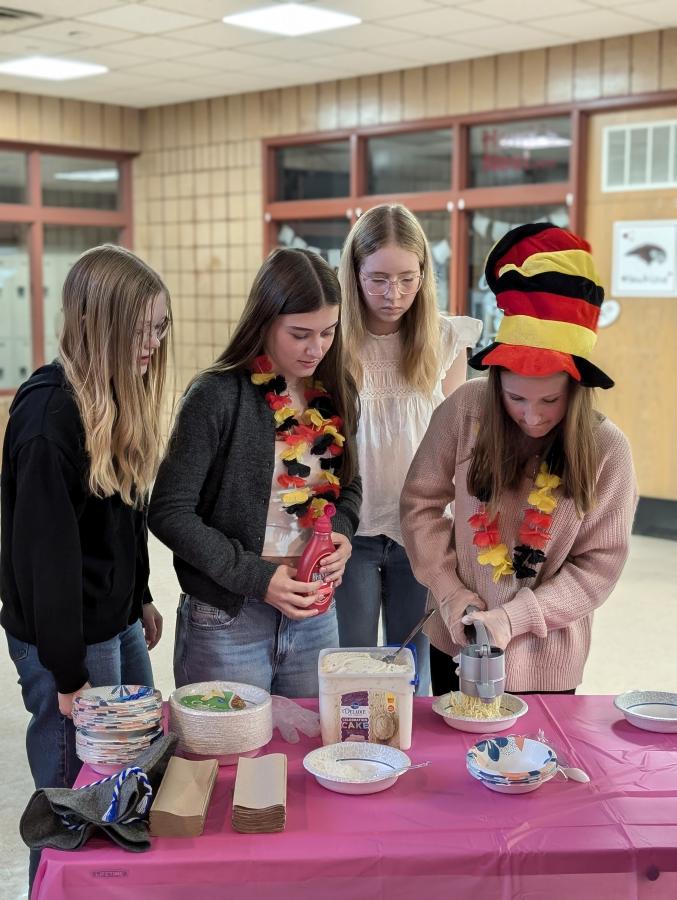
pixel 437 834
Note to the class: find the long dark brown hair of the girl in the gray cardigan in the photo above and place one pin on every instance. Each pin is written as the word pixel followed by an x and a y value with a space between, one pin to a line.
pixel 292 281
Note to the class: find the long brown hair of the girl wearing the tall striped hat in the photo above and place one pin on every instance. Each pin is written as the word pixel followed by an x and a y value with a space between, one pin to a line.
pixel 497 463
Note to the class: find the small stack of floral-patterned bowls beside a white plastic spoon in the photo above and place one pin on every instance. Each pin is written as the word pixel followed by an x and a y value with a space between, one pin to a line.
pixel 512 764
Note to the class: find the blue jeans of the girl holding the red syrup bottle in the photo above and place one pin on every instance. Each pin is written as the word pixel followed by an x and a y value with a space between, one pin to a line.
pixel 257 646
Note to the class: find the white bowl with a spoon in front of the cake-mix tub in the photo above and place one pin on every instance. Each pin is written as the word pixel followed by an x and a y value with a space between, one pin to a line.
pixel 370 772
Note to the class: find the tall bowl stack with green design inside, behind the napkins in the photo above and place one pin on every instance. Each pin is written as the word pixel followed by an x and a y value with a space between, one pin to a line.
pixel 221 720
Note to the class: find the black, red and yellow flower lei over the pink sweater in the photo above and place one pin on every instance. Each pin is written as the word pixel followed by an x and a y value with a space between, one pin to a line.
pixel 534 532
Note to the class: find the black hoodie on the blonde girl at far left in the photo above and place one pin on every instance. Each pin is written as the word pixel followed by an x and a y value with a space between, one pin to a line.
pixel 73 567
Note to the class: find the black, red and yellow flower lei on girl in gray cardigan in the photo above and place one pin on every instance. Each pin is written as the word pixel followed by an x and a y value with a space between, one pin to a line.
pixel 315 430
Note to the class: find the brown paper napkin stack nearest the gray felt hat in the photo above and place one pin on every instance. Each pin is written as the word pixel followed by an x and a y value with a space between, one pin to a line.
pixel 180 807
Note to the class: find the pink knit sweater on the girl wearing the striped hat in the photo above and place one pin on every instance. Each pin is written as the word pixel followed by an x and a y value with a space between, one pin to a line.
pixel 551 614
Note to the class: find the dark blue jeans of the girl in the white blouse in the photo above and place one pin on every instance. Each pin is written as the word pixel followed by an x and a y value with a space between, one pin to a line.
pixel 379 577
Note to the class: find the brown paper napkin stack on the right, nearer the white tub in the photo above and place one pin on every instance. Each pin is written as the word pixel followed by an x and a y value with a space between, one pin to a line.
pixel 260 796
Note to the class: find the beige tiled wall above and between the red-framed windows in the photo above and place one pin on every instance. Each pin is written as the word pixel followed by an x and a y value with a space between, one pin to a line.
pixel 197 181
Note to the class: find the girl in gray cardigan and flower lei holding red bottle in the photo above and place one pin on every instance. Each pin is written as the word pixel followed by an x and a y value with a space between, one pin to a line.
pixel 263 441
